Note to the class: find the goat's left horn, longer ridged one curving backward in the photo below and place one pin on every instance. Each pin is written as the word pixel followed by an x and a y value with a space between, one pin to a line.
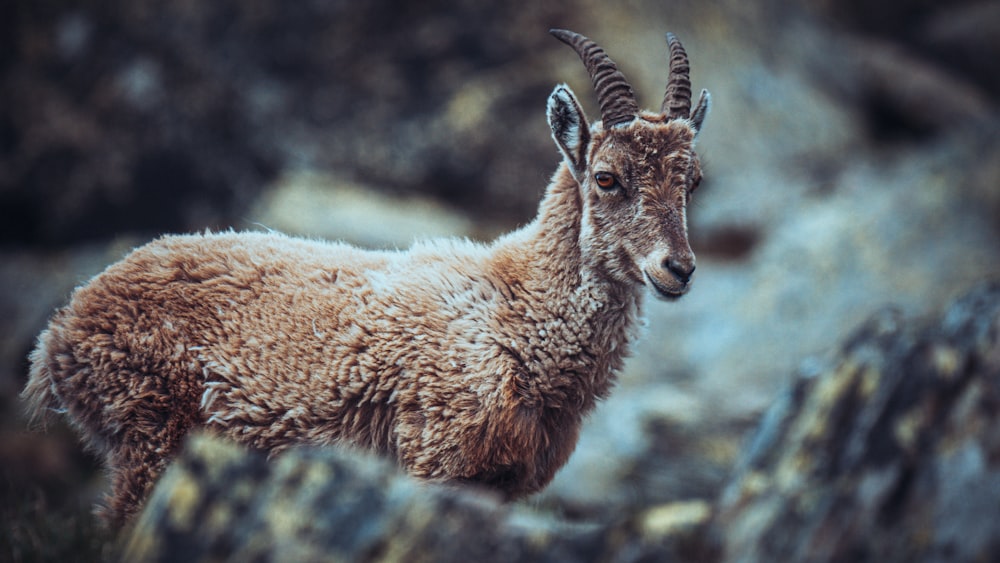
pixel 614 93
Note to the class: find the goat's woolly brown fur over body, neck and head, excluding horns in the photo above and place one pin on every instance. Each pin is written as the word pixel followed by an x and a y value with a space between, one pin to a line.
pixel 466 362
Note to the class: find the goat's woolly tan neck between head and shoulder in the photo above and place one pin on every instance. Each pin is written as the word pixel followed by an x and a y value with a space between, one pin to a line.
pixel 552 275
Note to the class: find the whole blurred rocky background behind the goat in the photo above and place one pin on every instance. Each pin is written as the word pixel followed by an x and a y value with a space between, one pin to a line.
pixel 852 162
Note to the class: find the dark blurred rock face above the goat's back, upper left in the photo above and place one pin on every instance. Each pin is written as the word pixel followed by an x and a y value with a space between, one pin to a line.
pixel 142 118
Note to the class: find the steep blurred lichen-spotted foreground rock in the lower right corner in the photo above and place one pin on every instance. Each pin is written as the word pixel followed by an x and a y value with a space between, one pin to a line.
pixel 889 453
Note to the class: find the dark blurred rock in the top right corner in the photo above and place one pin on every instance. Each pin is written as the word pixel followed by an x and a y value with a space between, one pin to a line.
pixel 916 70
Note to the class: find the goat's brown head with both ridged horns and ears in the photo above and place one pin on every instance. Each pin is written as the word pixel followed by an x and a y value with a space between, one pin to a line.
pixel 636 169
